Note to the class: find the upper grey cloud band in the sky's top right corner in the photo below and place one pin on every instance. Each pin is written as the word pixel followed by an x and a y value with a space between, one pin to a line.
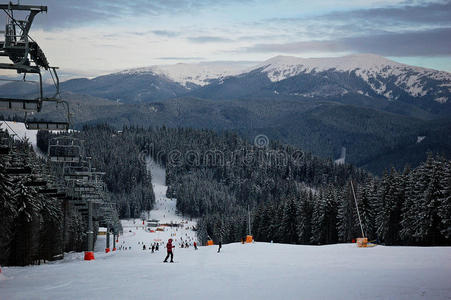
pixel 341 24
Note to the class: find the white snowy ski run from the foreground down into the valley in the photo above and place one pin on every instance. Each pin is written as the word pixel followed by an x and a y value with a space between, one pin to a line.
pixel 250 271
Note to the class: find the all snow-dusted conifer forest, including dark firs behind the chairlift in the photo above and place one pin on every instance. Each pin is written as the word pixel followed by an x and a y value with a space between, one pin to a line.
pixel 292 196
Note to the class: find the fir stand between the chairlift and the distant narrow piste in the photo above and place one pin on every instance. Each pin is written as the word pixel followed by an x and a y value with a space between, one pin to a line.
pixel 118 155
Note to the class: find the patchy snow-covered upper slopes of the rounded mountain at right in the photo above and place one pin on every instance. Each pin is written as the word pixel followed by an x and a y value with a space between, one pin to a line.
pixel 384 76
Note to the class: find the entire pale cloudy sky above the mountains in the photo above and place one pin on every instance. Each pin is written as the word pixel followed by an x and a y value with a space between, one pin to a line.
pixel 95 37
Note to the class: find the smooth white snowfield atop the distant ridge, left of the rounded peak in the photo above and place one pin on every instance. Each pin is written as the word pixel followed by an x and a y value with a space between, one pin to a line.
pixel 199 74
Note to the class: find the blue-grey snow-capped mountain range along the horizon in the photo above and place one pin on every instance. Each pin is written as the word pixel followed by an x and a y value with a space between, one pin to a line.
pixel 365 79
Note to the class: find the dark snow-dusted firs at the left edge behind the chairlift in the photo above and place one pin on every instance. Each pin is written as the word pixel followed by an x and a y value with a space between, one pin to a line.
pixel 35 222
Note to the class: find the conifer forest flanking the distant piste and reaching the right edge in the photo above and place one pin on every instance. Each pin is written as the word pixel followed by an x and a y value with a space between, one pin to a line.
pixel 293 196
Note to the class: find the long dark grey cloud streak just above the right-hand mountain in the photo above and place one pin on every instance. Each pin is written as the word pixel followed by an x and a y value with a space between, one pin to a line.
pixel 435 42
